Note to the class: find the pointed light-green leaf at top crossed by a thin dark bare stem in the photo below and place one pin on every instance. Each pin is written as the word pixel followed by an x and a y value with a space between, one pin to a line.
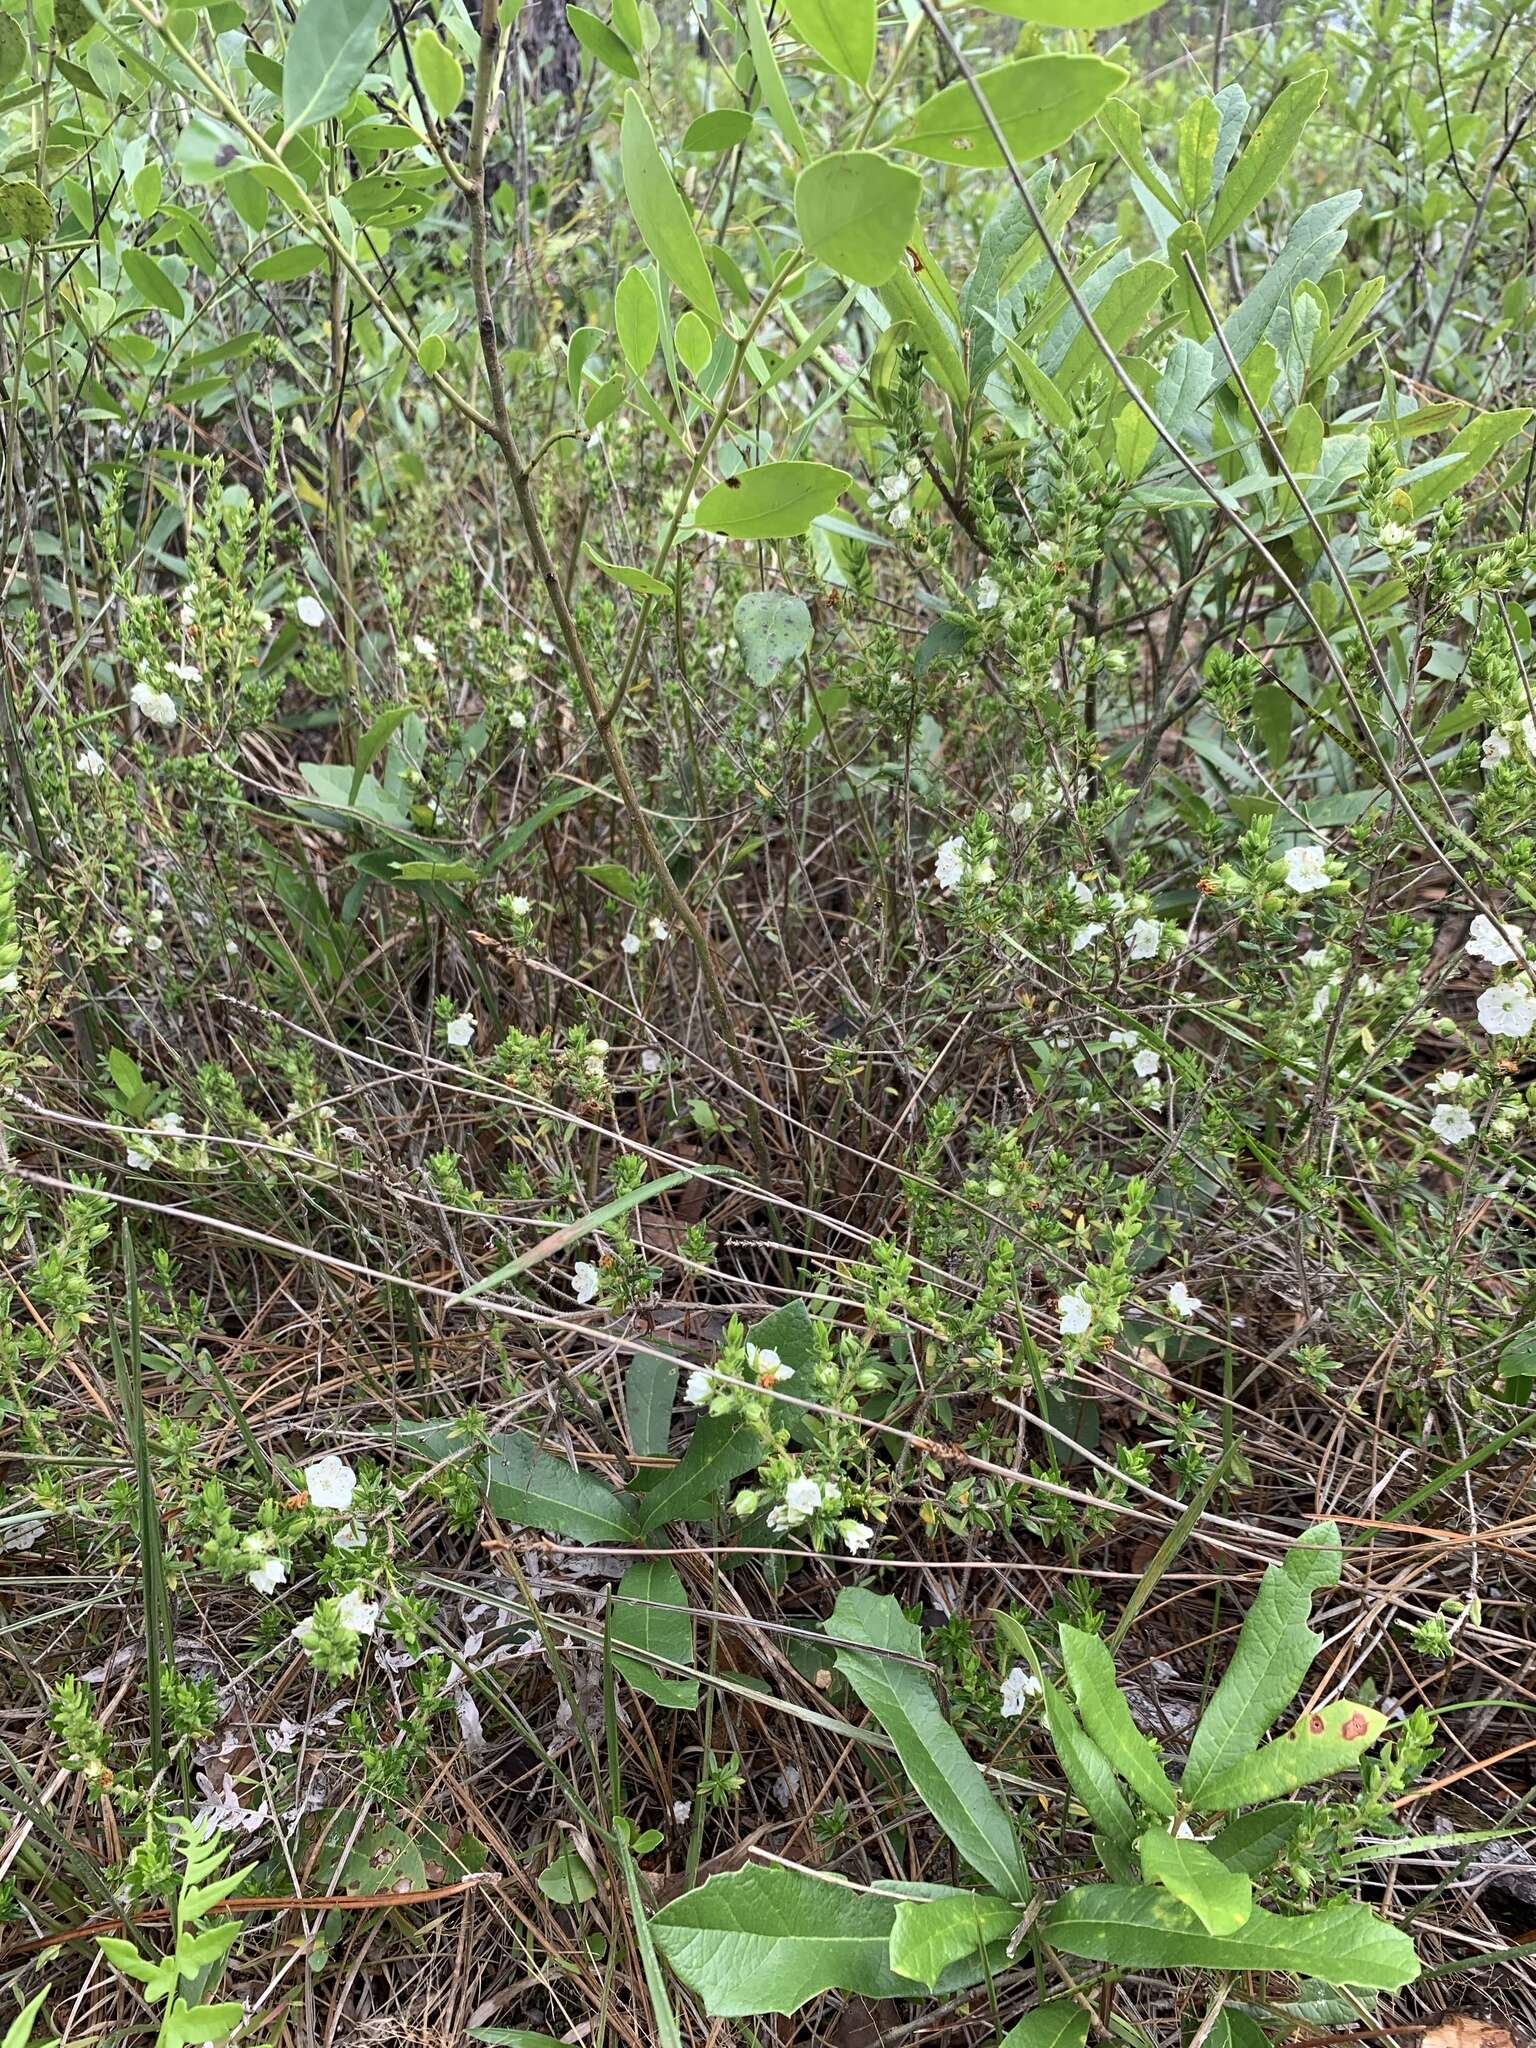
pixel 1037 103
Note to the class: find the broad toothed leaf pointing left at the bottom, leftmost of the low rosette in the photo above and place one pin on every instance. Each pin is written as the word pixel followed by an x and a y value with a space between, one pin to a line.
pixel 769 1938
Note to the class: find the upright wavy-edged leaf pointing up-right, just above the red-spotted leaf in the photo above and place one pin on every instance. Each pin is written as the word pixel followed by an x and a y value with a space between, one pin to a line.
pixel 1275 1654
